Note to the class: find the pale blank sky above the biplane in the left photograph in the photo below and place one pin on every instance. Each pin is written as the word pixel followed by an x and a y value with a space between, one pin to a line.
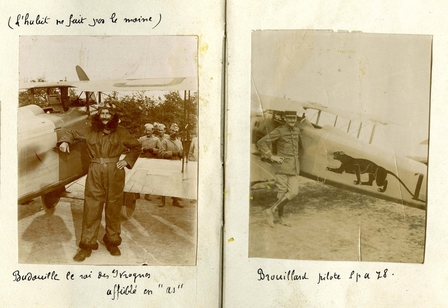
pixel 107 57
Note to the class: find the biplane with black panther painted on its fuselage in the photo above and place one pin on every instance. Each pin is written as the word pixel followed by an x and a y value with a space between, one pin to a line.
pixel 338 157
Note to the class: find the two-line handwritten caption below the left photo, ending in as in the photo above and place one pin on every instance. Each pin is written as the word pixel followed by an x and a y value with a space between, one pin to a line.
pixel 129 282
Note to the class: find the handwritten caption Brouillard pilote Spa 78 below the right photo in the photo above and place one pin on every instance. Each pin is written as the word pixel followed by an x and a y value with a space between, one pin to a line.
pixel 324 277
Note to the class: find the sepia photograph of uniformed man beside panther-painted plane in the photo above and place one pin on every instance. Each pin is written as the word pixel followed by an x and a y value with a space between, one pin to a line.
pixel 339 145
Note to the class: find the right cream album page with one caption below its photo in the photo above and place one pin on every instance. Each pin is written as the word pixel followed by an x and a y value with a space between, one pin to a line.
pixel 364 87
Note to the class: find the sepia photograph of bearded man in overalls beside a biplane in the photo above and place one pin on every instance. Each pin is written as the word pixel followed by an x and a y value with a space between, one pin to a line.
pixel 108 150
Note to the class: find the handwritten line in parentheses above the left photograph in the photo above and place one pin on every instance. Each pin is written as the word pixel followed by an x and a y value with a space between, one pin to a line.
pixel 72 20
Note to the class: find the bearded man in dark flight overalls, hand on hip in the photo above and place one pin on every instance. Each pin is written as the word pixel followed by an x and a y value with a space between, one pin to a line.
pixel 105 141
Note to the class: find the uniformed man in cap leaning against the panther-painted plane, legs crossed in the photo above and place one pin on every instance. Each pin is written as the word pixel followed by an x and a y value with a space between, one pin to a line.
pixel 285 162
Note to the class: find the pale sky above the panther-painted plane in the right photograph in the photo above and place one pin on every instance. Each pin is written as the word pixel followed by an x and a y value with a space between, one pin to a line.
pixel 383 76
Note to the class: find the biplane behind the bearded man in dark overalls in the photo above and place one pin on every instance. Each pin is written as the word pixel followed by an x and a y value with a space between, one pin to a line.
pixel 44 171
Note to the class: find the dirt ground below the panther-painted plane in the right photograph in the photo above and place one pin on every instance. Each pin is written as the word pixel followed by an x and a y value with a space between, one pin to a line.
pixel 337 225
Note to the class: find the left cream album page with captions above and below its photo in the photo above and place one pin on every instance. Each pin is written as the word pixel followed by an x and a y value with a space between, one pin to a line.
pixel 151 63
